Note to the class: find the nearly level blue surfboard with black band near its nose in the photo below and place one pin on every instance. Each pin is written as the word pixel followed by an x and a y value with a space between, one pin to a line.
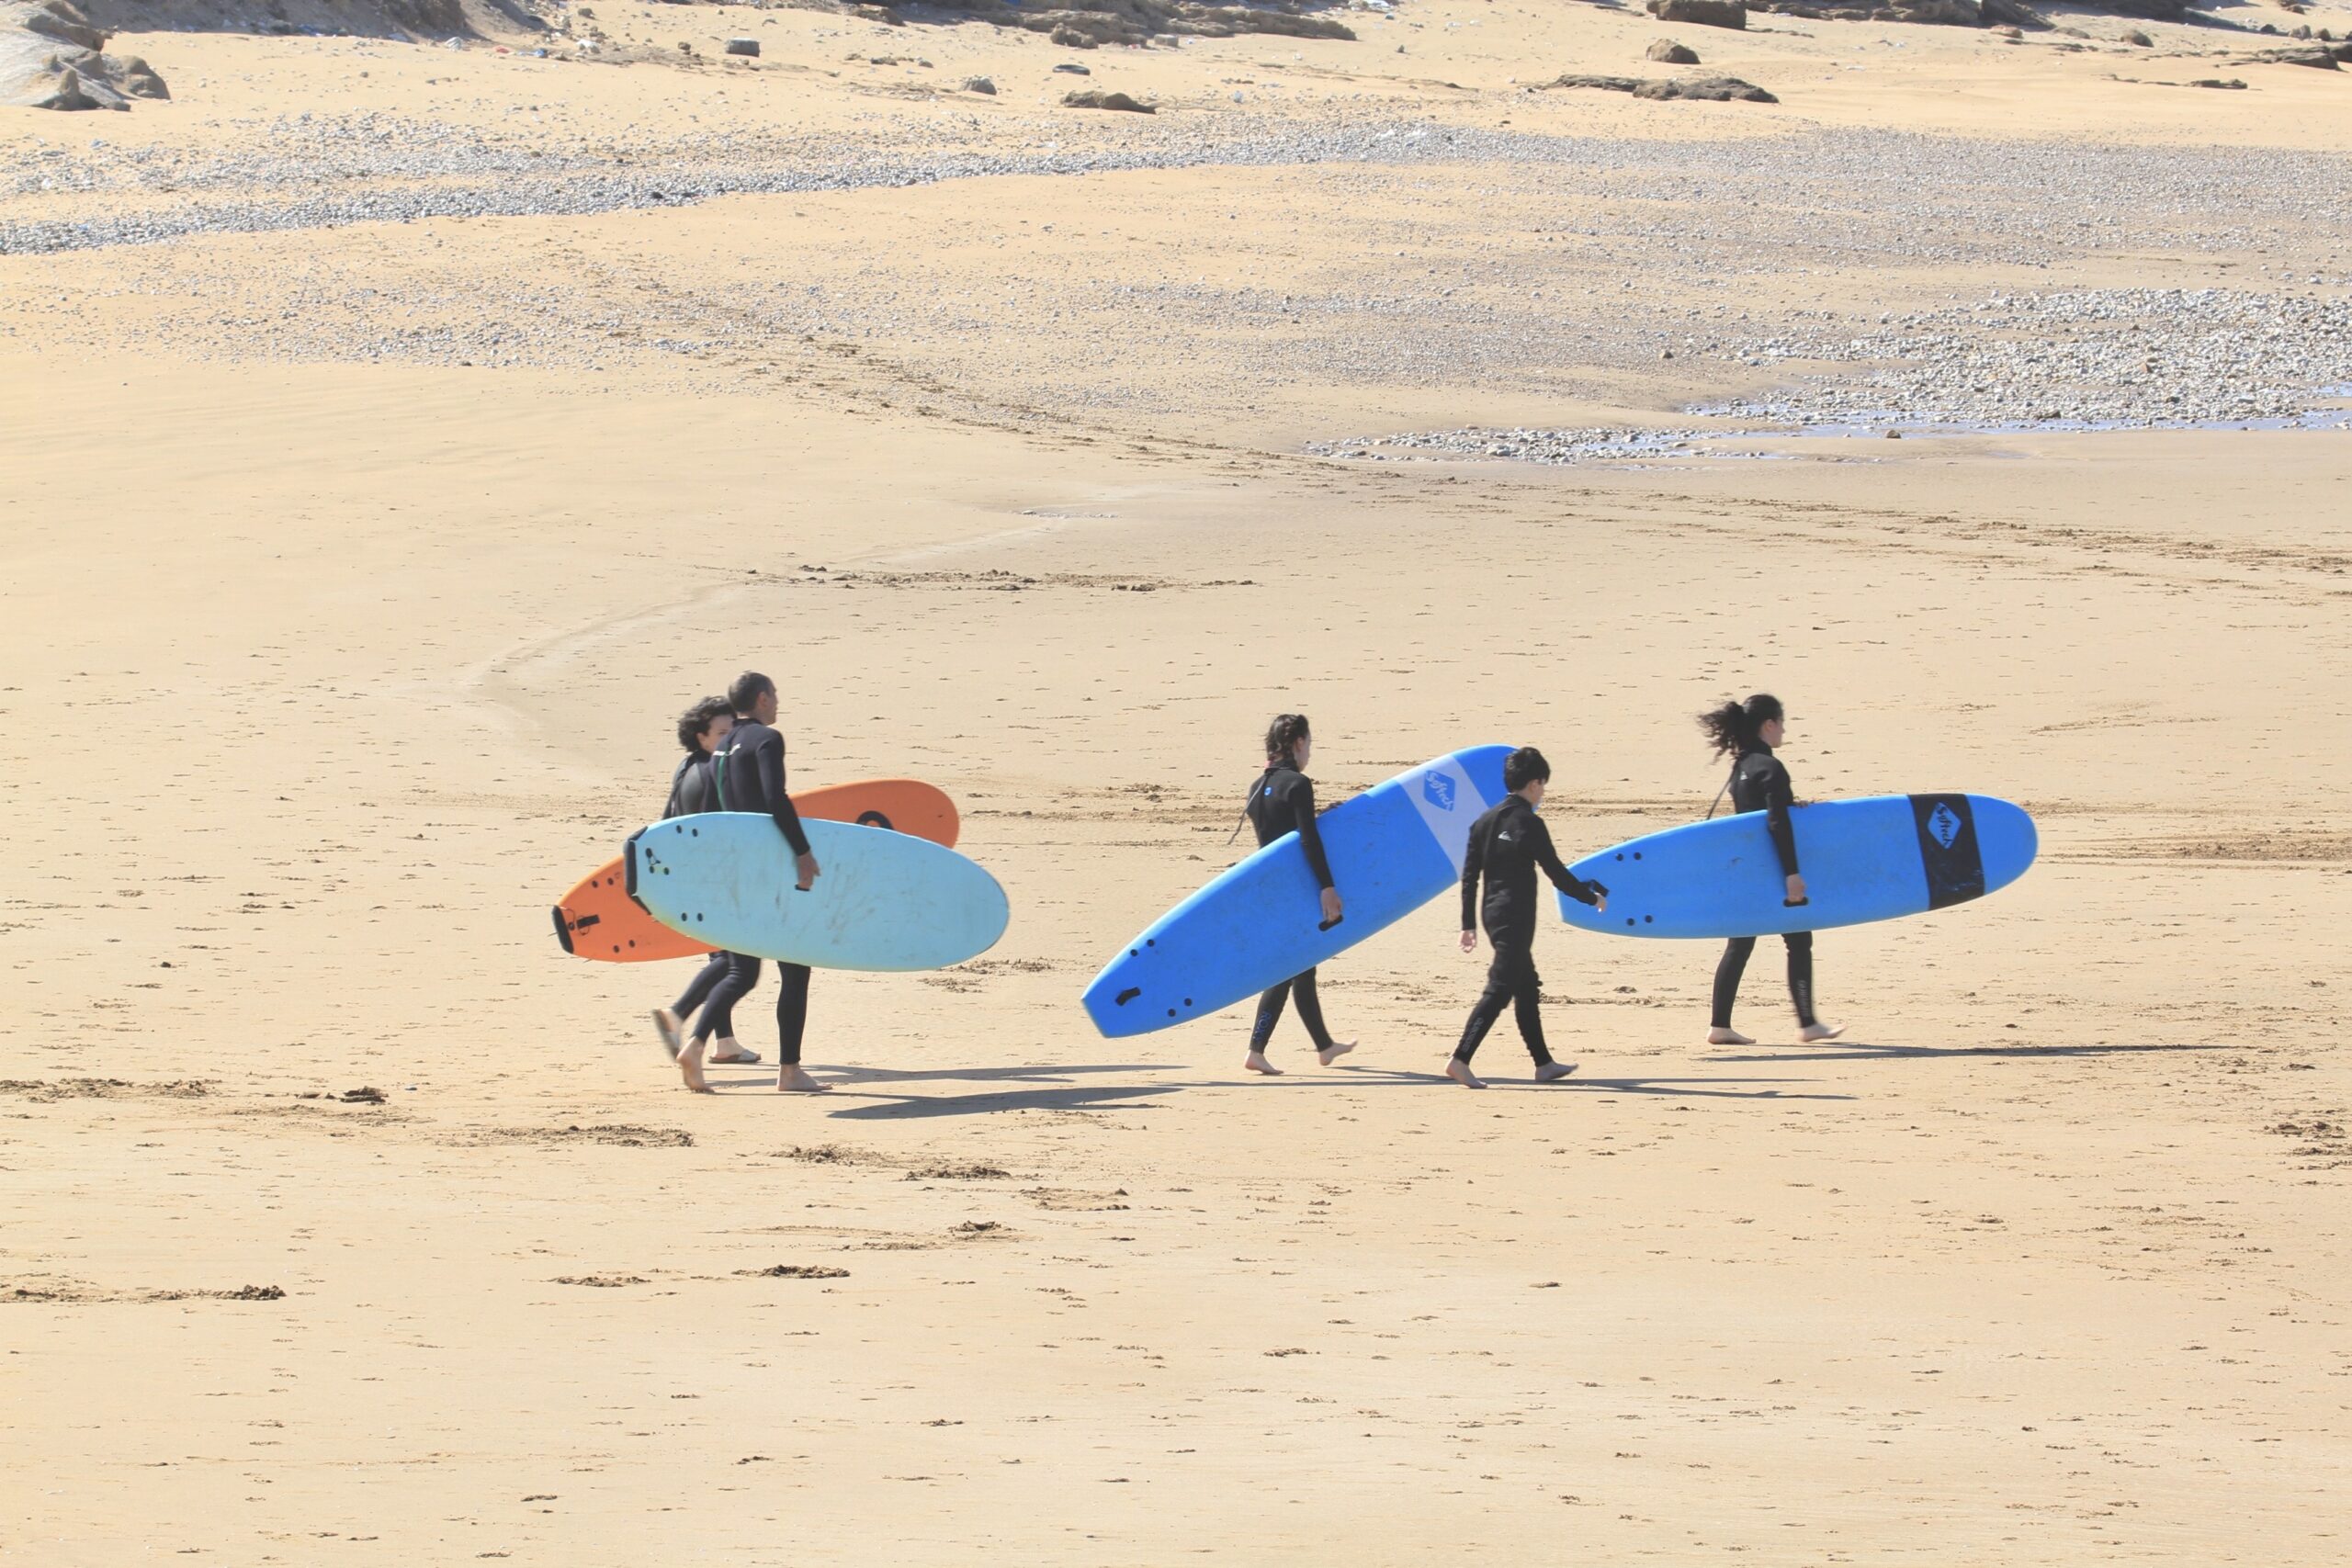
pixel 1864 859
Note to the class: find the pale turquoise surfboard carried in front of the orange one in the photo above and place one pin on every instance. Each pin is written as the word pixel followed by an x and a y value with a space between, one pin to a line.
pixel 883 902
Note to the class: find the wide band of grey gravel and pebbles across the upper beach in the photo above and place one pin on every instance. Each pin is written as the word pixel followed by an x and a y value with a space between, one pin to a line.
pixel 1558 269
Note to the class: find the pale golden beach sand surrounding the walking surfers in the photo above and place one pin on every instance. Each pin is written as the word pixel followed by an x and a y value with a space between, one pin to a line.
pixel 352 575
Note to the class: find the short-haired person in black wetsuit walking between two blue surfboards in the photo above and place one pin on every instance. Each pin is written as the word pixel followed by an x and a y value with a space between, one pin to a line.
pixel 1509 847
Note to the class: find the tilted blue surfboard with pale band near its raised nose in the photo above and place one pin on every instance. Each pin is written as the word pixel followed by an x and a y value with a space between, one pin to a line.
pixel 1391 850
